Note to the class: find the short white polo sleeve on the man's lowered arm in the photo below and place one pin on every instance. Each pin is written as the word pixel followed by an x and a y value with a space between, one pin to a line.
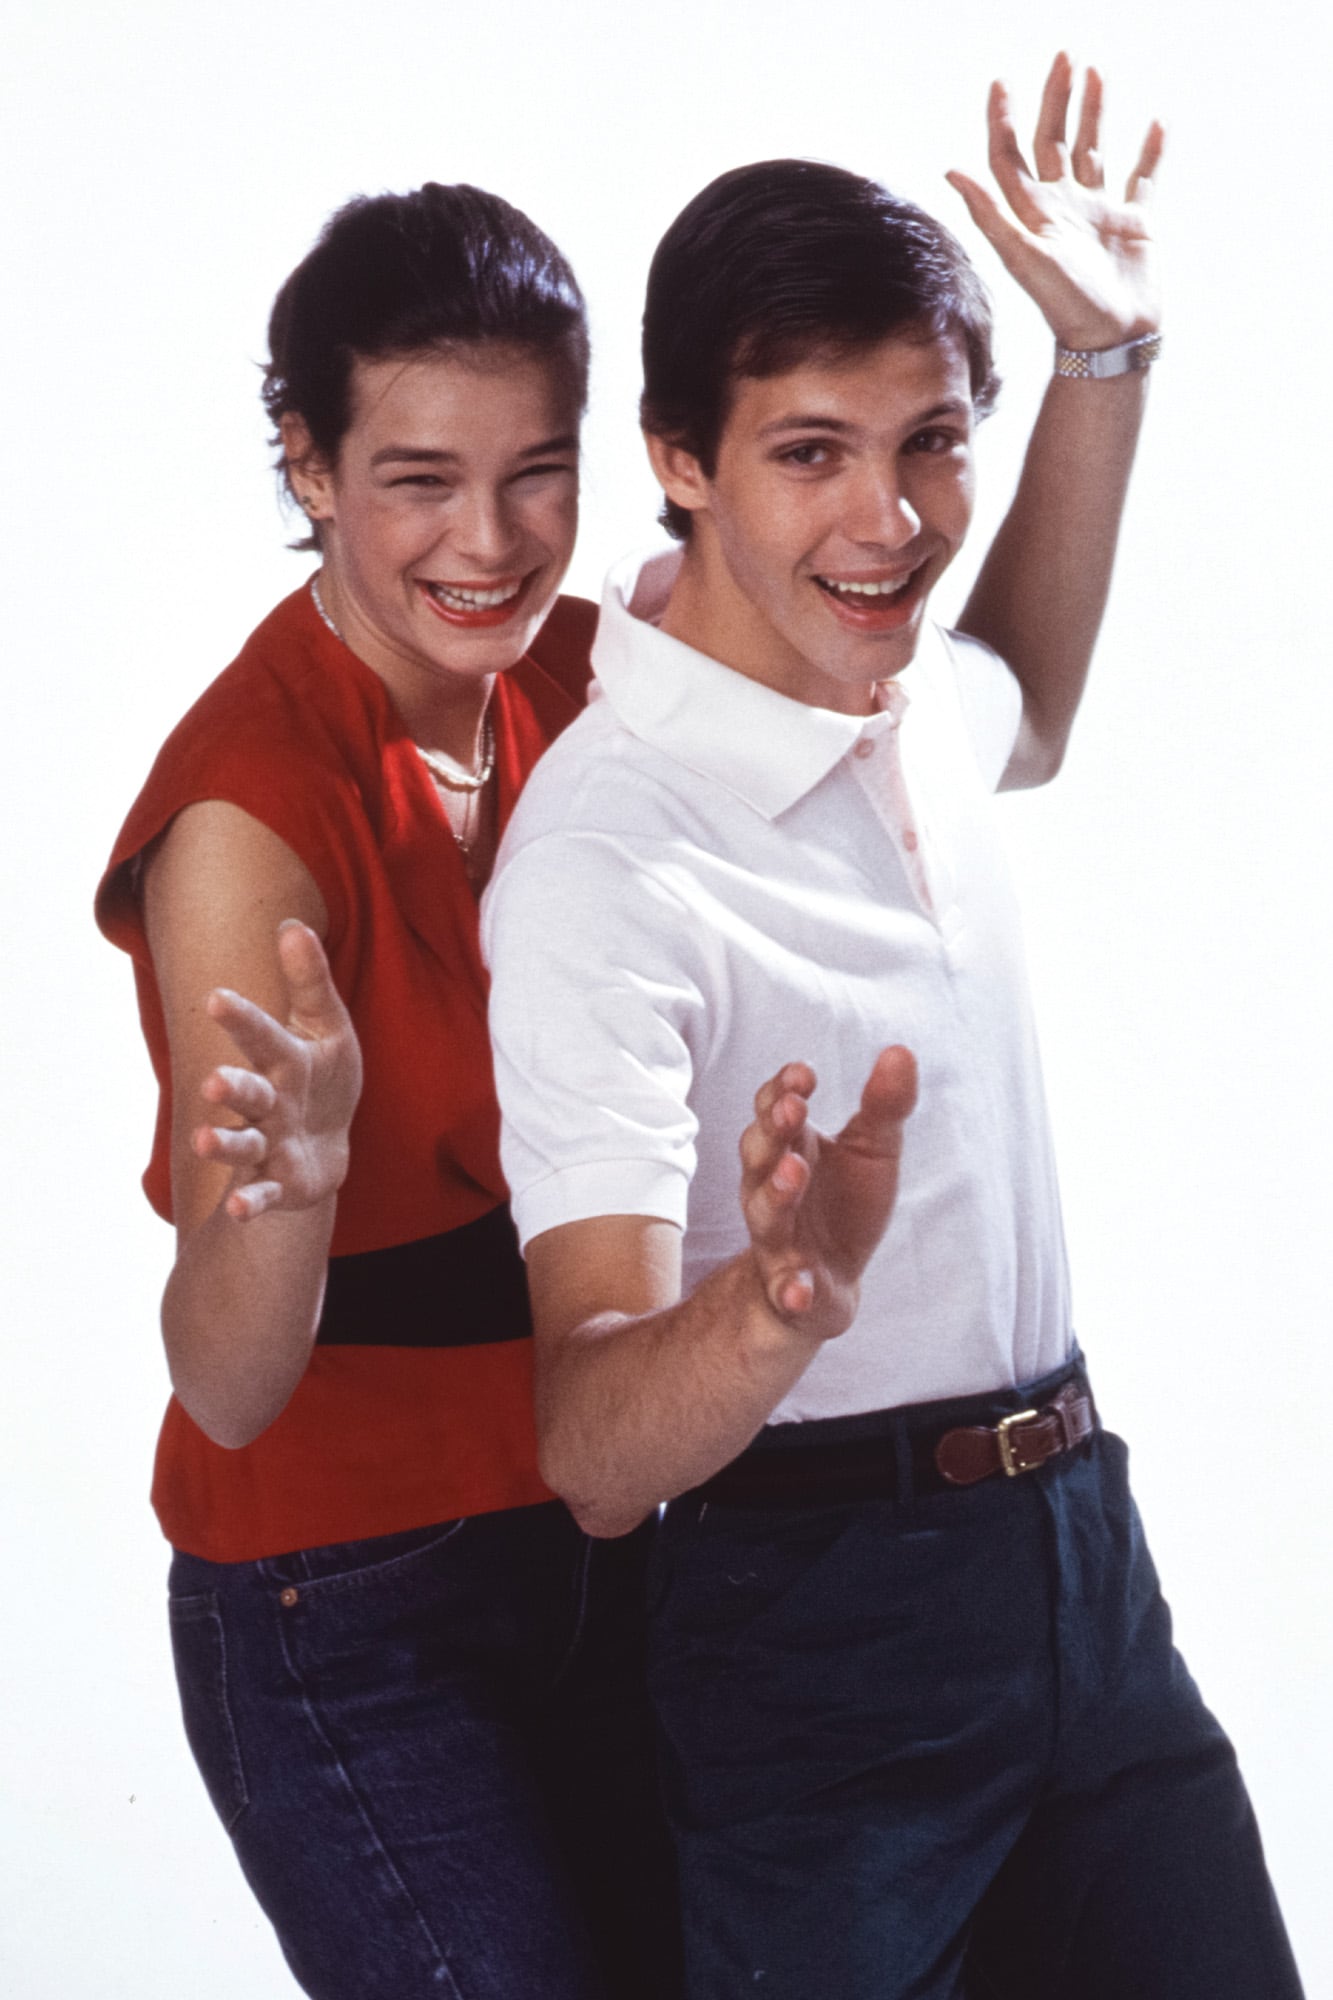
pixel 593 1009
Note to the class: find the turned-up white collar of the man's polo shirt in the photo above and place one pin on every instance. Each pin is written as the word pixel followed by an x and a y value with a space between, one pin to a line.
pixel 732 731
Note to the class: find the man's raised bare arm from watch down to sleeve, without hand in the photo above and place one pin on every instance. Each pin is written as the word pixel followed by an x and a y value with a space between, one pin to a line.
pixel 1044 587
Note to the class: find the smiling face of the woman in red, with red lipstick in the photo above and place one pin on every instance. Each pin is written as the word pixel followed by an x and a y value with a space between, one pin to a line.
pixel 449 515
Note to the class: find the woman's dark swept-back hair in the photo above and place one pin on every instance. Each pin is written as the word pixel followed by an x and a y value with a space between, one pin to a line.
pixel 405 273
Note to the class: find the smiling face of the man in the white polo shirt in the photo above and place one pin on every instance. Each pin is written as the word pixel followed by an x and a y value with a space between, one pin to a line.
pixel 842 495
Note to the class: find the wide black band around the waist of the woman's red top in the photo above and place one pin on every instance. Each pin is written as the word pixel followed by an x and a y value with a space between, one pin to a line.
pixel 459 1289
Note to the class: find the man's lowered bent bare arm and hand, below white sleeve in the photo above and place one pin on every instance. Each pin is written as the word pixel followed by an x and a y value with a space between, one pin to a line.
pixel 643 1395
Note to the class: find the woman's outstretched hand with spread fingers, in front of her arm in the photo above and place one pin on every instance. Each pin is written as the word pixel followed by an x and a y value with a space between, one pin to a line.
pixel 299 1095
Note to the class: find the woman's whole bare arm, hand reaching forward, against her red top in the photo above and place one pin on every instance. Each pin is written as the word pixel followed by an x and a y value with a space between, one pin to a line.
pixel 255 1193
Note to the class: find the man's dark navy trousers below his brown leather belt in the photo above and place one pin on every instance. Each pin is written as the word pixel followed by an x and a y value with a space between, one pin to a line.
pixel 942 1745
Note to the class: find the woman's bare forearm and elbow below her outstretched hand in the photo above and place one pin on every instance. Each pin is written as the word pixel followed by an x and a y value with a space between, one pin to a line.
pixel 239 1315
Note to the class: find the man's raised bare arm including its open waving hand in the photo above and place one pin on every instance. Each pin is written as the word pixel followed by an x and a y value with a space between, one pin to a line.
pixel 1088 263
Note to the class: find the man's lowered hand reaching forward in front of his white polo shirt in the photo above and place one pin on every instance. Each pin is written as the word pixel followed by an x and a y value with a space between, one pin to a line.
pixel 818 1207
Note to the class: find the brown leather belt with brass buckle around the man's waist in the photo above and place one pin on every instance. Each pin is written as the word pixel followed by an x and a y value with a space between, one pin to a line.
pixel 900 1453
